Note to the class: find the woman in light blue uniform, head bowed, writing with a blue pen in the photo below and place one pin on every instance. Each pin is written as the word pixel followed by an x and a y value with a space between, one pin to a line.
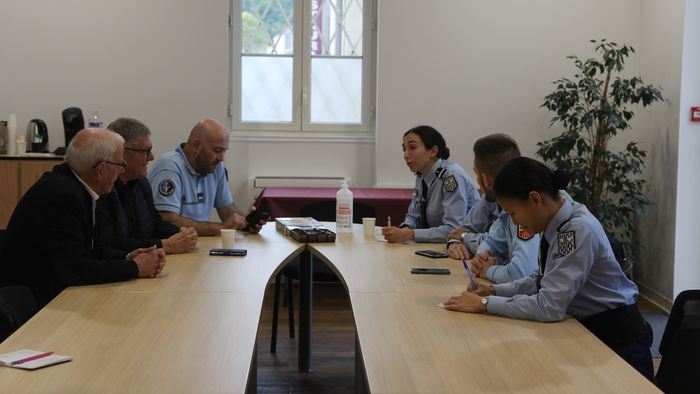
pixel 578 274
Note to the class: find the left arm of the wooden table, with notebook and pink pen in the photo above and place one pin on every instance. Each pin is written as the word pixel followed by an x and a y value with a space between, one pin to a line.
pixel 192 329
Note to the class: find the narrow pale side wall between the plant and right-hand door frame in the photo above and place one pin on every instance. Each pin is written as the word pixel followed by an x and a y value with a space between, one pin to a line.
pixel 656 127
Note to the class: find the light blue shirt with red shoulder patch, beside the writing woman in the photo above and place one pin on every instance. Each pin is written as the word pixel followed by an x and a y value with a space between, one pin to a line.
pixel 515 248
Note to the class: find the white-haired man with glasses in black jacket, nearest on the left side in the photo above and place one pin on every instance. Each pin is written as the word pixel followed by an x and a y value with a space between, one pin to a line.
pixel 50 242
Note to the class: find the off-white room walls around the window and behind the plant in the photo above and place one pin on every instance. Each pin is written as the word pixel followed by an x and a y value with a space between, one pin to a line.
pixel 468 67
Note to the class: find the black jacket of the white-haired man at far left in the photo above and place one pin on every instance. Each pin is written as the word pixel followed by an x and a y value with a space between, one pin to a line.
pixel 49 241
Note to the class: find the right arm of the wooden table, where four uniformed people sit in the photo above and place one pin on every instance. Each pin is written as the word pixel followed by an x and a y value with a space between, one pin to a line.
pixel 410 345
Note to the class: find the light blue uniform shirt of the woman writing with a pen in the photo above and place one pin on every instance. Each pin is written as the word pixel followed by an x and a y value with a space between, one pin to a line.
pixel 581 278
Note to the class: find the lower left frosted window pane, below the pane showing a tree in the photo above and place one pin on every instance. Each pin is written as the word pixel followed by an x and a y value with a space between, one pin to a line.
pixel 266 89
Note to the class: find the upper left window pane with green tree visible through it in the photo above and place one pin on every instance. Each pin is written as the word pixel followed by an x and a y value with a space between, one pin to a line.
pixel 267 27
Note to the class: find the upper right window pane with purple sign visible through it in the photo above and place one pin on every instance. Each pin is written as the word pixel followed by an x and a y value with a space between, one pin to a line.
pixel 336 27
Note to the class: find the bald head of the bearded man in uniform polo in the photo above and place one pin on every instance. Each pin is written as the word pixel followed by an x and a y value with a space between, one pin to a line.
pixel 206 146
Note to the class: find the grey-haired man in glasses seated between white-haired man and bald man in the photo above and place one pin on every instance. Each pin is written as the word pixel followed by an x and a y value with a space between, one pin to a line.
pixel 130 217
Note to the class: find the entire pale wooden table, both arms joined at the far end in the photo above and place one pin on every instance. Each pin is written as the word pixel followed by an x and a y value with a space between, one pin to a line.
pixel 193 329
